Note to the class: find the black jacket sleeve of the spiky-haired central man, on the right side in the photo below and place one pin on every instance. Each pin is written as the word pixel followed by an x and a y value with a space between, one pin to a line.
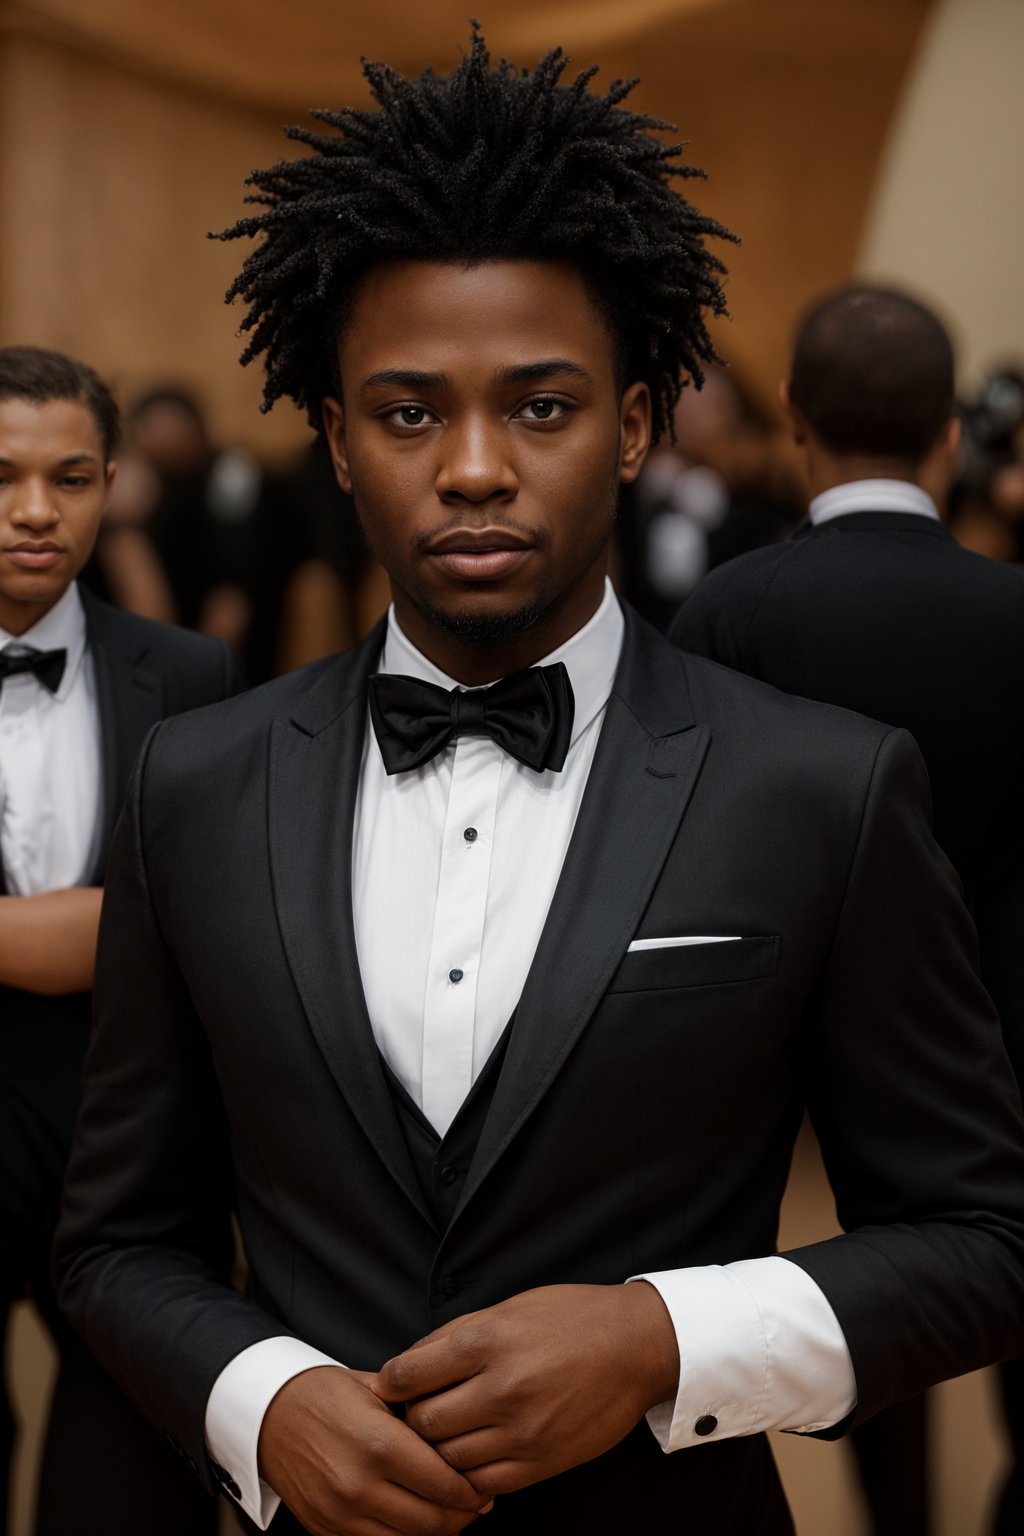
pixel 917 1113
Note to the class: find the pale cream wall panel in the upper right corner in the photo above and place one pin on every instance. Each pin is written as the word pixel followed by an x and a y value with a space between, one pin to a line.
pixel 948 217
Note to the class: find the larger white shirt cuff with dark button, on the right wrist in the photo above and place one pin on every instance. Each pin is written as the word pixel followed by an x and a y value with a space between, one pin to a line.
pixel 759 1349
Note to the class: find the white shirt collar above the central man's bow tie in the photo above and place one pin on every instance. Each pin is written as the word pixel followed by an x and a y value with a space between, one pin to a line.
pixel 590 657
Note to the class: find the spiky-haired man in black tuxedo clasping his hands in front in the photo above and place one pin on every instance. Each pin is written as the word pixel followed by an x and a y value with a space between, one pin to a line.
pixel 489 965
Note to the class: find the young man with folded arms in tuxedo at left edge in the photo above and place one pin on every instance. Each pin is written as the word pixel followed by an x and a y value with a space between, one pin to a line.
pixel 81 686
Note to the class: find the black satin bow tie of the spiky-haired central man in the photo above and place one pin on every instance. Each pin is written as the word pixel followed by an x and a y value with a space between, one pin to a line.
pixel 529 715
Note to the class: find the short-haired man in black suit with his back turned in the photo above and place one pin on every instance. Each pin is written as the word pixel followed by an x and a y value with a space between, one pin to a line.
pixel 874 606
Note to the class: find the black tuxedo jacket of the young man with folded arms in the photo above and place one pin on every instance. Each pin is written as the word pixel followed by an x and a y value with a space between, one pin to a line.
pixel 144 672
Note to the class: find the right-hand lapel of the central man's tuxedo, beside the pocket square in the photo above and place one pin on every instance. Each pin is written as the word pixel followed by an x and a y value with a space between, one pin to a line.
pixel 644 773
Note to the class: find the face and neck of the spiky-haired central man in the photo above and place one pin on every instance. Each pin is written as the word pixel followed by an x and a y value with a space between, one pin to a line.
pixel 484 440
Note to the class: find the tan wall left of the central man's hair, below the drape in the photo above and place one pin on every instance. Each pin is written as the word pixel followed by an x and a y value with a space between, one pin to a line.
pixel 110 188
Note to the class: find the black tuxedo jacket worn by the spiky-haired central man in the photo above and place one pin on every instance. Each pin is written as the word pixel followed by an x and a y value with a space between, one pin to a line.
pixel 647 1105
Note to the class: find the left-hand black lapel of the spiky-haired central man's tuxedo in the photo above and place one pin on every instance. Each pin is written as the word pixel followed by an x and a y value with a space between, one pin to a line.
pixel 315 761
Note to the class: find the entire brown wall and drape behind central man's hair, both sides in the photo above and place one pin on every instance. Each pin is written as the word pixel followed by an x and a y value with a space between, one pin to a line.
pixel 127 133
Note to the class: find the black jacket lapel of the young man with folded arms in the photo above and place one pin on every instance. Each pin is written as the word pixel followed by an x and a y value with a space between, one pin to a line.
pixel 130 701
